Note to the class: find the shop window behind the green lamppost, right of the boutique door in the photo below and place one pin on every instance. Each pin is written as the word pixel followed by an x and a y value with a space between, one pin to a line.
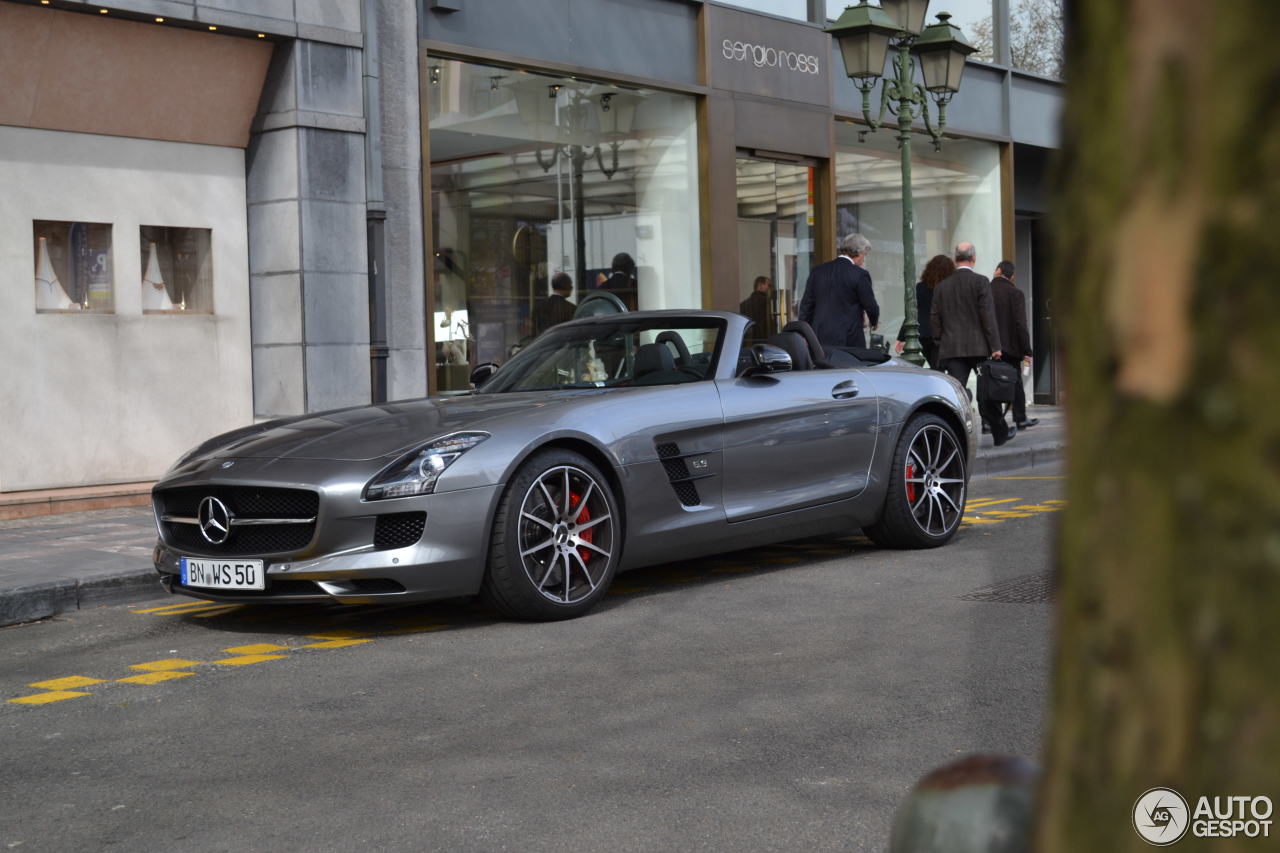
pixel 956 199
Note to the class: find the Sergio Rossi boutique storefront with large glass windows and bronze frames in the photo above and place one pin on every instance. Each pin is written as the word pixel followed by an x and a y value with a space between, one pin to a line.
pixel 710 144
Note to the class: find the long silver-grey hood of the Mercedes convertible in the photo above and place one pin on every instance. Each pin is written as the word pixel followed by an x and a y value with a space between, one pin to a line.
pixel 373 432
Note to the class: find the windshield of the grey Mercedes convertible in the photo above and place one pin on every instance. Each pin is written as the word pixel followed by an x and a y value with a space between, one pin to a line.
pixel 619 353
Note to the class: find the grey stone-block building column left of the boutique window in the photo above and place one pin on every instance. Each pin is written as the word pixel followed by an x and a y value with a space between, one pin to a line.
pixel 308 239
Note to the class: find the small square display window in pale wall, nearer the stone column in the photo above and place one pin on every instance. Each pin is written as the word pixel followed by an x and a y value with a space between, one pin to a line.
pixel 177 271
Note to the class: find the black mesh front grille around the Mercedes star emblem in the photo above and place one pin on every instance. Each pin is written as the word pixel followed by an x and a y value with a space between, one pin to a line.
pixel 244 503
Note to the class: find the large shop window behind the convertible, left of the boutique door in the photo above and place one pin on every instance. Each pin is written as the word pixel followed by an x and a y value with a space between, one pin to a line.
pixel 536 179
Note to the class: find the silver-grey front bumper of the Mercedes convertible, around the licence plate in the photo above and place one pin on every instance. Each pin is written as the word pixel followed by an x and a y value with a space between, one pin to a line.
pixel 449 562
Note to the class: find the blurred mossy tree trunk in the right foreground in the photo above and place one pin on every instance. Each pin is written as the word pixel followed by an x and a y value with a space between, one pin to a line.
pixel 1168 230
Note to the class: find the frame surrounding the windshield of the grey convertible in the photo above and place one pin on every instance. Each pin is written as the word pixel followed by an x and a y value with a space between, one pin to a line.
pixel 602 329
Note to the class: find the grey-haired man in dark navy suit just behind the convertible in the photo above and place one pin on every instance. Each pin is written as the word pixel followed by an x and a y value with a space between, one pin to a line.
pixel 838 295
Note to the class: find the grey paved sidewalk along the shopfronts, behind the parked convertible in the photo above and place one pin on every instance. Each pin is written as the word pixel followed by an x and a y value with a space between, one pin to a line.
pixel 52 564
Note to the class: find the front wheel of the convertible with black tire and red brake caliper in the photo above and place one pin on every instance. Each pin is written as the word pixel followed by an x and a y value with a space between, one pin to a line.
pixel 554 559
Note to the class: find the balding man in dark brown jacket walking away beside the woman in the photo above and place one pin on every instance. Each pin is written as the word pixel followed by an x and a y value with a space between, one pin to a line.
pixel 964 326
